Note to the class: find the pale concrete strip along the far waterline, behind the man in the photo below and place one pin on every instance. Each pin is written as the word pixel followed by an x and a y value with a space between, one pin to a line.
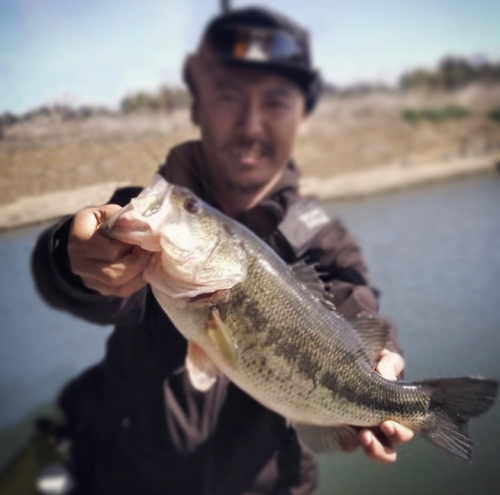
pixel 35 209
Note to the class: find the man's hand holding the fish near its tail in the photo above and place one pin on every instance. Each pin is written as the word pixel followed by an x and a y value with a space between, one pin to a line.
pixel 379 443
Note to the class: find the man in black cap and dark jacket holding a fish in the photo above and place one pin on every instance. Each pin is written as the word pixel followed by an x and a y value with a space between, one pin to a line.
pixel 145 430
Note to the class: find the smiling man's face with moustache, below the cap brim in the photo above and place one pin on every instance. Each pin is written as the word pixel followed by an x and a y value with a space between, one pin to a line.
pixel 249 120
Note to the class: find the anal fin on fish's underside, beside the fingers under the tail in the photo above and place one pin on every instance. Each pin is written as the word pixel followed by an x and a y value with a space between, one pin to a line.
pixel 323 439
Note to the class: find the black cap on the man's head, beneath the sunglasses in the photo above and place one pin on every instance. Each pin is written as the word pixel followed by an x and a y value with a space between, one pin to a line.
pixel 296 65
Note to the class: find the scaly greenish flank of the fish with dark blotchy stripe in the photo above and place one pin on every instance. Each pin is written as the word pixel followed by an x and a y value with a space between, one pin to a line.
pixel 299 346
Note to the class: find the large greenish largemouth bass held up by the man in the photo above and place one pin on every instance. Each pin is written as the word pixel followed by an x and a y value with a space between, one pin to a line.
pixel 268 327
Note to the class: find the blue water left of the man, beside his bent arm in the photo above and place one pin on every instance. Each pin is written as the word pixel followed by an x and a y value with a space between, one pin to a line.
pixel 40 349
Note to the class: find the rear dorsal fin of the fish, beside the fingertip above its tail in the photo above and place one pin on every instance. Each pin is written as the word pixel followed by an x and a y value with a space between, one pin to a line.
pixel 373 334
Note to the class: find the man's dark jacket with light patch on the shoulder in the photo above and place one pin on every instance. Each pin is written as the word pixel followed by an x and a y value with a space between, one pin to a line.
pixel 220 442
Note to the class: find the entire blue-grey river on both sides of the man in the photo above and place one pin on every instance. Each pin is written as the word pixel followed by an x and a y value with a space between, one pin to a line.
pixel 434 253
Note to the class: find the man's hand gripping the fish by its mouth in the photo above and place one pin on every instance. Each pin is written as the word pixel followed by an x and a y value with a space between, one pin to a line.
pixel 108 266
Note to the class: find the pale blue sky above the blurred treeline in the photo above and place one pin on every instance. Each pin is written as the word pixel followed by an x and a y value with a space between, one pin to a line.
pixel 98 51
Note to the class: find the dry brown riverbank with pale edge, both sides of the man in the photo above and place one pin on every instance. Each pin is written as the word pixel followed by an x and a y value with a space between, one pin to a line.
pixel 352 146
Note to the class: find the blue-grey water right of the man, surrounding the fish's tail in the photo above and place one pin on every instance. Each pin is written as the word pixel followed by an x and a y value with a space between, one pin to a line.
pixel 434 253
